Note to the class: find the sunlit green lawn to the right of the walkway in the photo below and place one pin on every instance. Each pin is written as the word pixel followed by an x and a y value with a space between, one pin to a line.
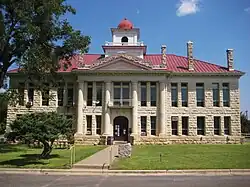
pixel 186 157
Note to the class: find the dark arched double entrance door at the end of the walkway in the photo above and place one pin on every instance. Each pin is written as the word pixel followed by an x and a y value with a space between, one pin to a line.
pixel 121 128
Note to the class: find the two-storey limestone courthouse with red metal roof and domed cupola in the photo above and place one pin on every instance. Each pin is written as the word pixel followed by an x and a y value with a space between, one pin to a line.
pixel 154 98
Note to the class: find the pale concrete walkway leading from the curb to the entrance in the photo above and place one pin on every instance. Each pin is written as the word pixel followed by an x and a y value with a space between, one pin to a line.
pixel 99 160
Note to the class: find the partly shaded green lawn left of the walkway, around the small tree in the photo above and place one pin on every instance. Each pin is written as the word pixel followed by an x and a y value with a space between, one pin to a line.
pixel 24 157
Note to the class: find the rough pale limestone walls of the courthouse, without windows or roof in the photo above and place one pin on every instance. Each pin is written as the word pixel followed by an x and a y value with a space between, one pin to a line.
pixel 163 111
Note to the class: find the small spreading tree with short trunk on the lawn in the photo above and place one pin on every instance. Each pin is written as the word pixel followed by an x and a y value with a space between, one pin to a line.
pixel 45 127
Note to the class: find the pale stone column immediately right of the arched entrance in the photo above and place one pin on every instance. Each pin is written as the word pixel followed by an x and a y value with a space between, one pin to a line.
pixel 135 108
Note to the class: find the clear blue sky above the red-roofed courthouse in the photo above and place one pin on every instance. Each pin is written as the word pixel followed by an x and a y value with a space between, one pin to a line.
pixel 213 26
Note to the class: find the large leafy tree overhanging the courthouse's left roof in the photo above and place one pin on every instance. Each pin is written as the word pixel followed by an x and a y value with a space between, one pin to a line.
pixel 35 36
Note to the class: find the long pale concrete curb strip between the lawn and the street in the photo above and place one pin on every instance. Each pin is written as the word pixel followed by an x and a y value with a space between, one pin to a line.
pixel 203 172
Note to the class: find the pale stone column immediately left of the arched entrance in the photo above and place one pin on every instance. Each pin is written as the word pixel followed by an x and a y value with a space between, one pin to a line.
pixel 106 129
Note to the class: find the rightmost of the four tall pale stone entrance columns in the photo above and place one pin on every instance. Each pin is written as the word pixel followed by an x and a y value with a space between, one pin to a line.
pixel 162 109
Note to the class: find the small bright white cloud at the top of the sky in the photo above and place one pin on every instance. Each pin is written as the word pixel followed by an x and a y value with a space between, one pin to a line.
pixel 186 7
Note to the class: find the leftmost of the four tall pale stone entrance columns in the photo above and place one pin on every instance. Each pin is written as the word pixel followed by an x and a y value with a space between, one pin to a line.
pixel 80 108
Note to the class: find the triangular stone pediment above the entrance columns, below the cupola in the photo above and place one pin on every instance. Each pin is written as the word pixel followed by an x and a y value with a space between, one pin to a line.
pixel 121 62
